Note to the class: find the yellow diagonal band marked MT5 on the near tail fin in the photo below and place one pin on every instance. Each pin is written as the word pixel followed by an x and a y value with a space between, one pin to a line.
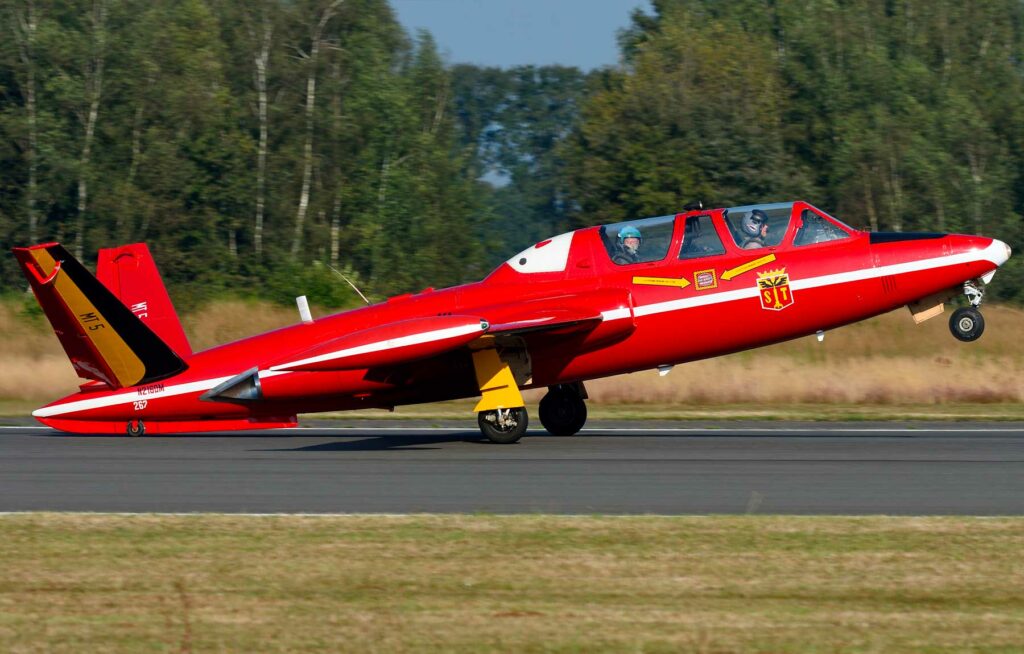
pixel 110 346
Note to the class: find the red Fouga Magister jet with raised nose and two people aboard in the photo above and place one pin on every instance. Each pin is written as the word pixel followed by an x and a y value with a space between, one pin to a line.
pixel 600 301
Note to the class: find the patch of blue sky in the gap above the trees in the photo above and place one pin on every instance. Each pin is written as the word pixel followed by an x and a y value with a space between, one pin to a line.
pixel 505 33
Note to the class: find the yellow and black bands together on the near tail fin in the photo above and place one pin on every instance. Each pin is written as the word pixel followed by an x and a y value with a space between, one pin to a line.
pixel 124 345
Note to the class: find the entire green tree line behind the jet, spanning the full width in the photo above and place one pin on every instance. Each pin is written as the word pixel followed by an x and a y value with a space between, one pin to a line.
pixel 260 146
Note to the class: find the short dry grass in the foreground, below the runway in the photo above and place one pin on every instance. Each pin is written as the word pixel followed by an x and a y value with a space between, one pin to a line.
pixel 532 584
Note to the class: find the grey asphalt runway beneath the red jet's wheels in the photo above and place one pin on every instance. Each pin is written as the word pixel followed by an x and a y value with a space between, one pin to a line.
pixel 615 468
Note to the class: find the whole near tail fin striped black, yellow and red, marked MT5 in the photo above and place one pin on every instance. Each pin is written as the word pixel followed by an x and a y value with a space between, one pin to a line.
pixel 102 337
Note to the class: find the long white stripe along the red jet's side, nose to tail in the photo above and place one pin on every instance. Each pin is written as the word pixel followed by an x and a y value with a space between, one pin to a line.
pixel 996 253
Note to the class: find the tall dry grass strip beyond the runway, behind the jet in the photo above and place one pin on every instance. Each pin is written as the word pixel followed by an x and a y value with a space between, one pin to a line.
pixel 888 362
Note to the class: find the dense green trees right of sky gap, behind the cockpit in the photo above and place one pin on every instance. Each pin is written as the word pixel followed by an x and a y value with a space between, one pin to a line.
pixel 894 115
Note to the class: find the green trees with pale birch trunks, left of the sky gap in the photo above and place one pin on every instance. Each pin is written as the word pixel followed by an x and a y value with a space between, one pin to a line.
pixel 250 144
